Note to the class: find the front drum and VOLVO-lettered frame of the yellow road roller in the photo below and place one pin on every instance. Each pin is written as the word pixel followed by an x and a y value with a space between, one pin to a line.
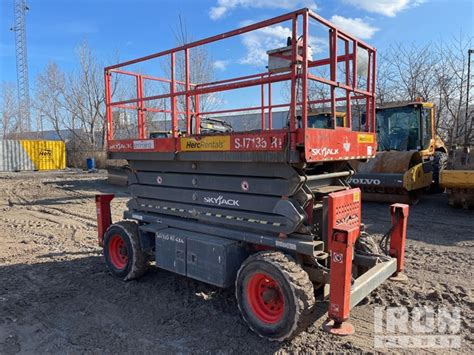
pixel 393 177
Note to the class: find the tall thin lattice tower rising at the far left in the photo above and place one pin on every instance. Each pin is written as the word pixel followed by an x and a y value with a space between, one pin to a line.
pixel 23 87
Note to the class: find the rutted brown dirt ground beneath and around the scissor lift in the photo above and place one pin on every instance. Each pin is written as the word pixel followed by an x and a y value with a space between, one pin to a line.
pixel 56 295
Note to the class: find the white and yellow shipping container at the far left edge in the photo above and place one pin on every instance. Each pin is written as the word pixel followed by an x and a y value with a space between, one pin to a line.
pixel 21 155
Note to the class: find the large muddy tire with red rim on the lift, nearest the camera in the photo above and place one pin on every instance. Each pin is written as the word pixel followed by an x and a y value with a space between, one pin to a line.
pixel 293 290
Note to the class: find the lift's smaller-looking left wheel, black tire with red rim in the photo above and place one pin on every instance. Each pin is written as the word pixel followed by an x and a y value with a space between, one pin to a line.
pixel 122 252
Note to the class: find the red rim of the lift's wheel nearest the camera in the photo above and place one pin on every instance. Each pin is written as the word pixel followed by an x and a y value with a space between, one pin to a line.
pixel 265 298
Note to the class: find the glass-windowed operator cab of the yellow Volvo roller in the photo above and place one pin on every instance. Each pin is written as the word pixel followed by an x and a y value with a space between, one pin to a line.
pixel 404 128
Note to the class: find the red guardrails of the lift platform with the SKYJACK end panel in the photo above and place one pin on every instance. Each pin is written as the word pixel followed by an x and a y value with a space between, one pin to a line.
pixel 299 75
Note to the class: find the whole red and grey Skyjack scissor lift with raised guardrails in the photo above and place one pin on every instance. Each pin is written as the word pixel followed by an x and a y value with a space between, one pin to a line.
pixel 267 211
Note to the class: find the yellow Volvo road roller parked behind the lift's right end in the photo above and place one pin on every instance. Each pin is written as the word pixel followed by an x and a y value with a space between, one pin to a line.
pixel 409 156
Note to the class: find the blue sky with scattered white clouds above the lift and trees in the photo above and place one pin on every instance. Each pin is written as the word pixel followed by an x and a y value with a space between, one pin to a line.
pixel 138 27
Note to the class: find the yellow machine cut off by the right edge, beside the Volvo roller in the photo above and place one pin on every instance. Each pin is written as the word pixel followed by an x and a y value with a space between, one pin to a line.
pixel 458 177
